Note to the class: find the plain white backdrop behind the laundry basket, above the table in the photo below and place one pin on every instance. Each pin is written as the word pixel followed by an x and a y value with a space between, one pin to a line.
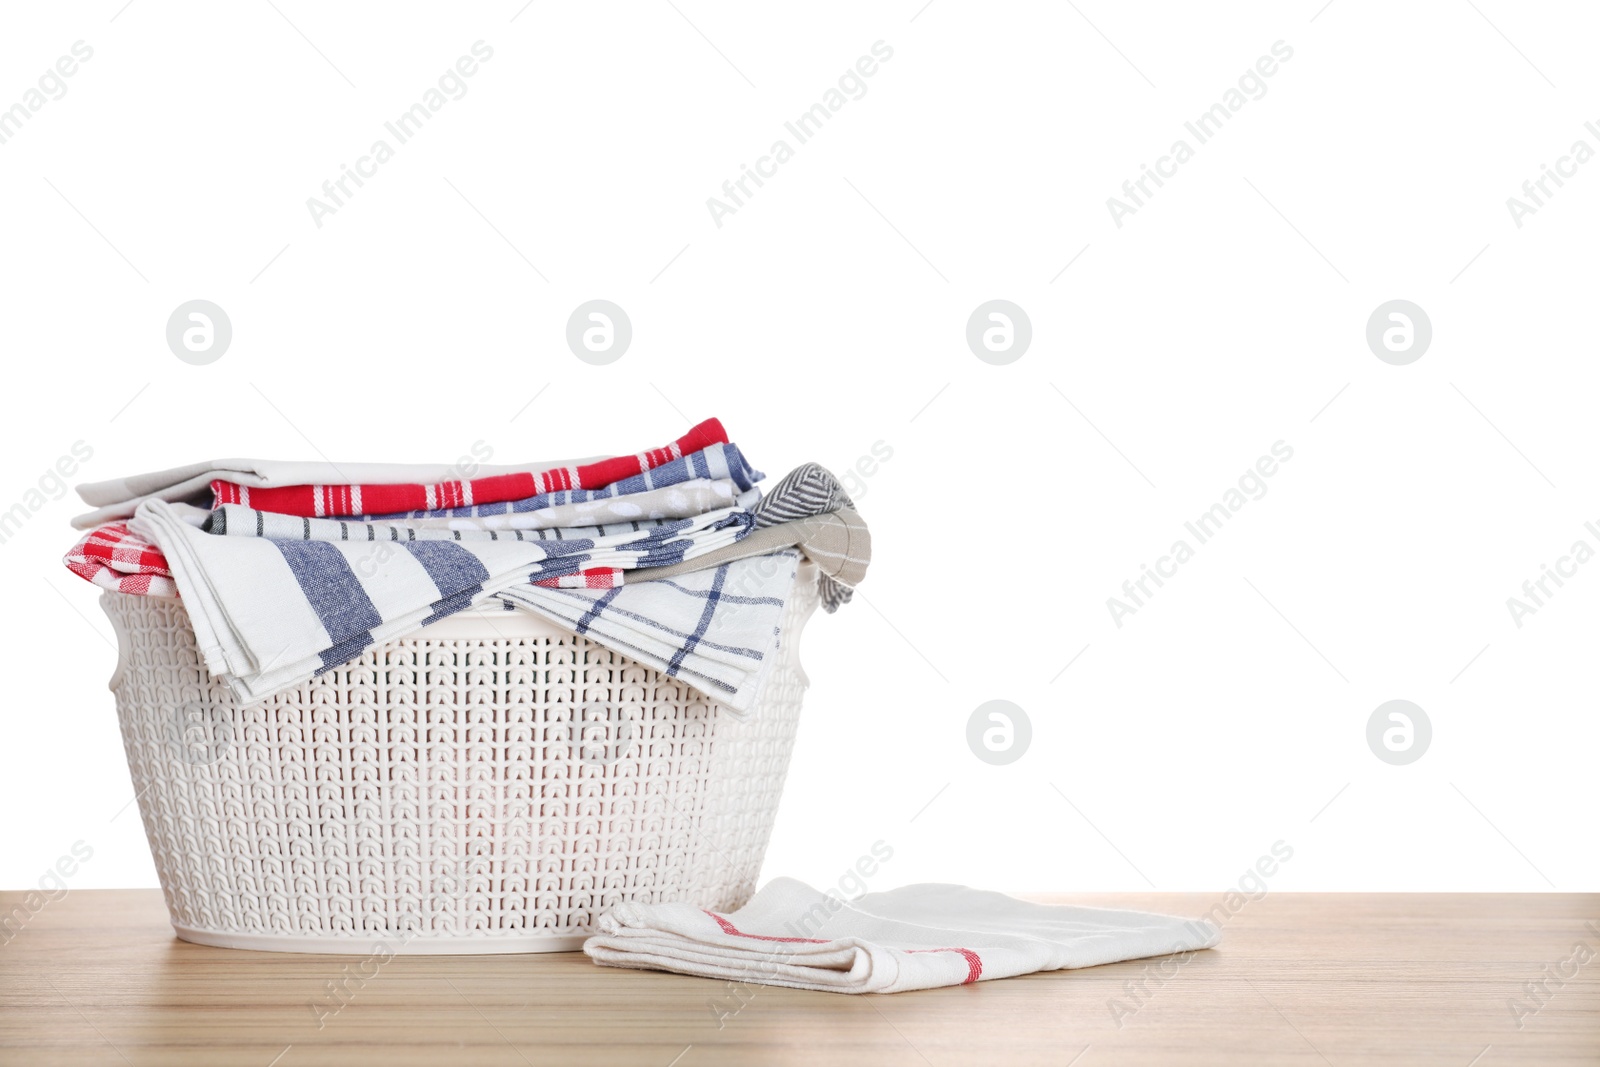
pixel 830 314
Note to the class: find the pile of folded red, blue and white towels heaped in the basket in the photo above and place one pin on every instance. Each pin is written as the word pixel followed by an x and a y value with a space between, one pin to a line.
pixel 671 556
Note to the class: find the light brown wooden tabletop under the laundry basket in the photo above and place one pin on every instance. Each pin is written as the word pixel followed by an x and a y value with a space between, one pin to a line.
pixel 1319 980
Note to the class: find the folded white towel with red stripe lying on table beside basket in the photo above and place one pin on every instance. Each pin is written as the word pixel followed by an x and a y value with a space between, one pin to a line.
pixel 919 937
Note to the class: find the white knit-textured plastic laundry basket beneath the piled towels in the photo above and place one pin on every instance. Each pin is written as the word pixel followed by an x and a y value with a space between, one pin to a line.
pixel 489 785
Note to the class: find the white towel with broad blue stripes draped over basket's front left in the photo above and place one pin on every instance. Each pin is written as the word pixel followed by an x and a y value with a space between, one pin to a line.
pixel 273 612
